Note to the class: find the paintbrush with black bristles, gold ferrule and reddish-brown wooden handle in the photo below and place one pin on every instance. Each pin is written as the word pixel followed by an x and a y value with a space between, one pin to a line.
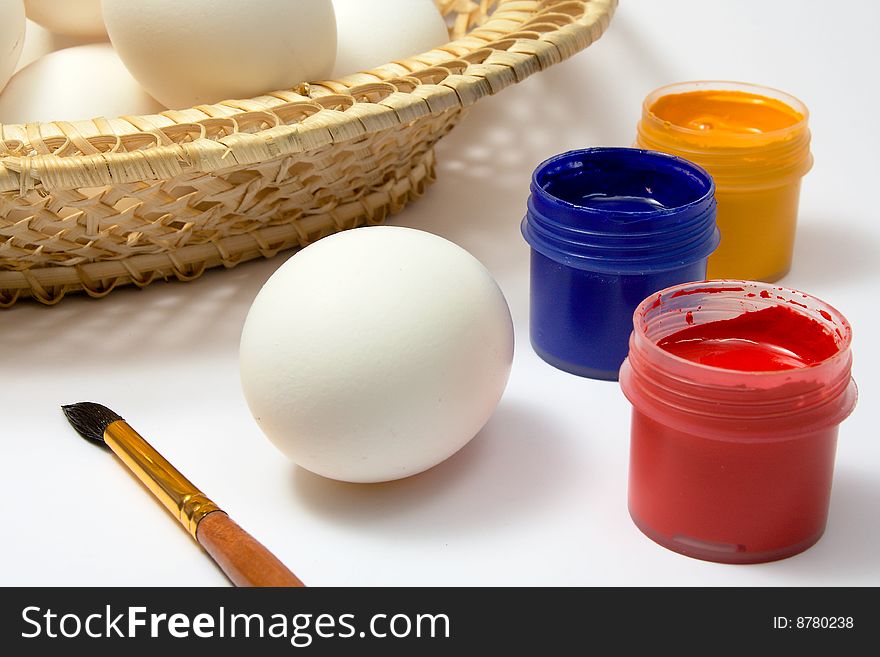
pixel 245 561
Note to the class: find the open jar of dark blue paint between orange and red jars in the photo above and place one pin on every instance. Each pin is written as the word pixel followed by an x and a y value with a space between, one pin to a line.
pixel 609 227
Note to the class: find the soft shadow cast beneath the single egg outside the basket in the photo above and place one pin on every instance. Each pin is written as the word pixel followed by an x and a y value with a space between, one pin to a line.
pixel 512 470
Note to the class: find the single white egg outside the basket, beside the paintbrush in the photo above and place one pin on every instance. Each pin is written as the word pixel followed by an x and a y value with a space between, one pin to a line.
pixel 376 353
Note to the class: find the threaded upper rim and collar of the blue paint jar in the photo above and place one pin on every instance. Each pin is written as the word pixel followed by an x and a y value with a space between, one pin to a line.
pixel 670 221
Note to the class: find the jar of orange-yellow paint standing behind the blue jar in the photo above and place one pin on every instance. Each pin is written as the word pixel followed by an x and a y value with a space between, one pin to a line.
pixel 756 144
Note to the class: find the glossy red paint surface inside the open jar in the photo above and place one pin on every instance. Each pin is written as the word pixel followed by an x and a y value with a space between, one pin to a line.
pixel 771 339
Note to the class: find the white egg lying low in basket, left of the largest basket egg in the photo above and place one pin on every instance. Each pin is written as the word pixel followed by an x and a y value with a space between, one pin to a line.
pixel 73 84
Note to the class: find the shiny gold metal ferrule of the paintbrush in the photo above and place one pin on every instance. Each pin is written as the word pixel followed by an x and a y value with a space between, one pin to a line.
pixel 186 502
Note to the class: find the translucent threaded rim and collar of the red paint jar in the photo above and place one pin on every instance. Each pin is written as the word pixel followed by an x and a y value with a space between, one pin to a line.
pixel 731 404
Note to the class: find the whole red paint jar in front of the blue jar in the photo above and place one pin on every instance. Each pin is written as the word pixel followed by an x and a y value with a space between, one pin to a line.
pixel 732 465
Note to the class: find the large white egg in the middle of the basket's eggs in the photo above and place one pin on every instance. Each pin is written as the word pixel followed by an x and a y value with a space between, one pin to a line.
pixel 204 51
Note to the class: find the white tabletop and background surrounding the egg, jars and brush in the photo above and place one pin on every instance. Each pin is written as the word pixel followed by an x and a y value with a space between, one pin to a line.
pixel 539 496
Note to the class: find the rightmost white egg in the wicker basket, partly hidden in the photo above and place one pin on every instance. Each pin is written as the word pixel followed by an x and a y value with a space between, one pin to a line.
pixel 373 33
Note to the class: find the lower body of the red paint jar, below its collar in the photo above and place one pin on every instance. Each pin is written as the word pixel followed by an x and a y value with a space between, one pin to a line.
pixel 728 501
